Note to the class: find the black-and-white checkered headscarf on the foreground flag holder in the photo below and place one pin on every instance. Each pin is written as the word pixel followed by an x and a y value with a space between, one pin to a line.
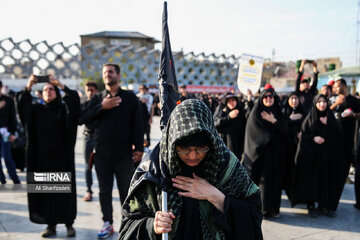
pixel 190 117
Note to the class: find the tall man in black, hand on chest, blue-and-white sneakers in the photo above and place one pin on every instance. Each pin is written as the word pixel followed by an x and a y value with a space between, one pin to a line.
pixel 119 139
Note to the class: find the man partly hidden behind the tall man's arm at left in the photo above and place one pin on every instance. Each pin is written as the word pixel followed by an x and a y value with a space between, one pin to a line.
pixel 91 89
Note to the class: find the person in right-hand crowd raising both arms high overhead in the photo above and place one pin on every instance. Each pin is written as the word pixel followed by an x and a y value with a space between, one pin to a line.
pixel 303 88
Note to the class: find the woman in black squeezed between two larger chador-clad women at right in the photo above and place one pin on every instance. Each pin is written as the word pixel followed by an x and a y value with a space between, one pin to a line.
pixel 294 113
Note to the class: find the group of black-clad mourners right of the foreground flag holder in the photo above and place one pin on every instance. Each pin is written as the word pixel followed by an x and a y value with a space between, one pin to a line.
pixel 304 142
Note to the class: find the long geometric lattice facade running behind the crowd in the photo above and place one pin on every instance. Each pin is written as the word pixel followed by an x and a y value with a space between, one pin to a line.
pixel 138 66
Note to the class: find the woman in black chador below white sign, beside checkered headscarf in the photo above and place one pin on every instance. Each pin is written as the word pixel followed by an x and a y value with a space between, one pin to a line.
pixel 230 122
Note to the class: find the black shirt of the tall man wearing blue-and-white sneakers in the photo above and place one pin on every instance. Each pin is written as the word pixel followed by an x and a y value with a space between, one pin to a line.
pixel 117 129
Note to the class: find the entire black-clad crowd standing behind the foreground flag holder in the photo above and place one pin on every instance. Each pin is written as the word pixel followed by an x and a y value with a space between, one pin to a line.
pixel 303 142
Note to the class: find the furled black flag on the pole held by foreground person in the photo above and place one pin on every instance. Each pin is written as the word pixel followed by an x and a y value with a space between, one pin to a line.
pixel 167 79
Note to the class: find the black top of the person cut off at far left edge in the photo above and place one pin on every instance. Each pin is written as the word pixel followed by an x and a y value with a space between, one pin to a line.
pixel 7 114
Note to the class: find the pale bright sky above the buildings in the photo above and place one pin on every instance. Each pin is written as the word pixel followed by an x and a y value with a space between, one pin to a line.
pixel 295 29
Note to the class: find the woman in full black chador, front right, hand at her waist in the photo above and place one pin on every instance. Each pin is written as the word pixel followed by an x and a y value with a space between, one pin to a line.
pixel 320 172
